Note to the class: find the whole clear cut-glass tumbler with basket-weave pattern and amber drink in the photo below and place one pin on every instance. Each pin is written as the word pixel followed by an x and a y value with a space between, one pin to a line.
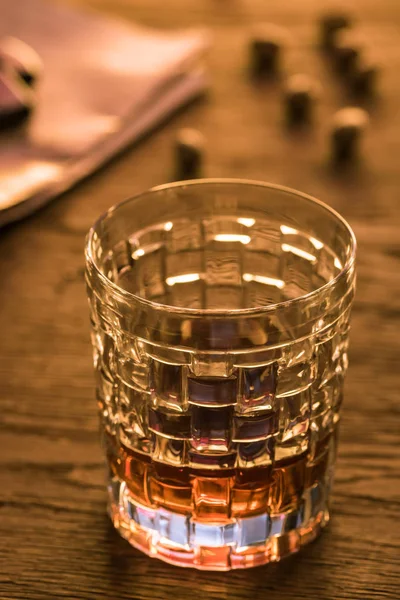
pixel 220 318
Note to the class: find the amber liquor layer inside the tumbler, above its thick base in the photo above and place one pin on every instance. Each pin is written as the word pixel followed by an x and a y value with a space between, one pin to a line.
pixel 219 495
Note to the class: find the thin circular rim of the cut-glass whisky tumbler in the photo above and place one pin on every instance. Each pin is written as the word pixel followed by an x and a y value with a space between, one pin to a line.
pixel 220 312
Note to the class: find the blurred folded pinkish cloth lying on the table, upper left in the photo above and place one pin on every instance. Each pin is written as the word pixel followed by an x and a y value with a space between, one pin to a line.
pixel 104 84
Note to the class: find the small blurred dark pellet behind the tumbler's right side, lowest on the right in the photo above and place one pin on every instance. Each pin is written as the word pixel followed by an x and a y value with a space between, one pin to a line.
pixel 348 126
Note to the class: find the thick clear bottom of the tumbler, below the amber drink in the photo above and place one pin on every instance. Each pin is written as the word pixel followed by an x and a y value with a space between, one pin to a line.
pixel 238 544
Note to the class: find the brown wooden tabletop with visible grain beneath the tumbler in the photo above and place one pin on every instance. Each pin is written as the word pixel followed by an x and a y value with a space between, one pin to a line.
pixel 56 540
